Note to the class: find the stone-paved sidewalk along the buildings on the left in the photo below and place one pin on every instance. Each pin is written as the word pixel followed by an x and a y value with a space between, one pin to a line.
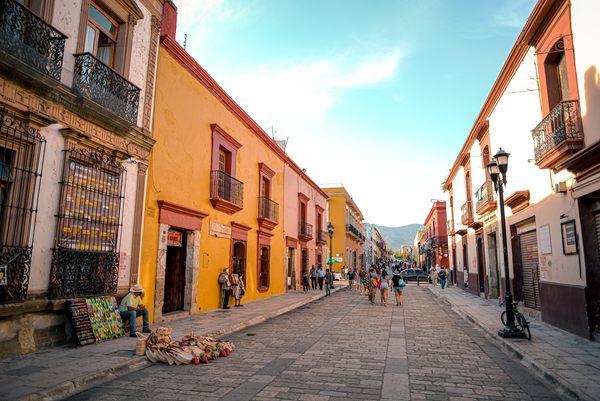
pixel 57 372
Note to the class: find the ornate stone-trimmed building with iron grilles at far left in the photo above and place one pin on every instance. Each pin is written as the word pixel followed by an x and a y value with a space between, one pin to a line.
pixel 76 98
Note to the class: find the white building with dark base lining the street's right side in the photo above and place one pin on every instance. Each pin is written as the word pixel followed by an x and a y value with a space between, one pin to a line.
pixel 543 111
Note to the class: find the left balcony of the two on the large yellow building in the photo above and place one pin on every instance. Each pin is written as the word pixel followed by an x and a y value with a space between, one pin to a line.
pixel 226 193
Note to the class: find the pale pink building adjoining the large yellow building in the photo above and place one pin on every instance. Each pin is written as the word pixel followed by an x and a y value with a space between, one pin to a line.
pixel 304 225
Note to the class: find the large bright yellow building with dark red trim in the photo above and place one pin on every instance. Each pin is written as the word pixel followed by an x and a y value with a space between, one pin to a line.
pixel 215 183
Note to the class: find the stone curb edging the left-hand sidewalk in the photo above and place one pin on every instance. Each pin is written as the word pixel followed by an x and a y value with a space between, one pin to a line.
pixel 78 385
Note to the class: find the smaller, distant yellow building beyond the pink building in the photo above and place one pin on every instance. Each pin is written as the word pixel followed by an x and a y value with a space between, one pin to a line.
pixel 348 235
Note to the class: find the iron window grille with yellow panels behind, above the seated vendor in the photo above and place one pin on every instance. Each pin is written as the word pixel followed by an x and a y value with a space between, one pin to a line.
pixel 85 259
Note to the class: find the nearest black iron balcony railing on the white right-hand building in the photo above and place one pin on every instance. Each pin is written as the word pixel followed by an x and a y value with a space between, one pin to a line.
pixel 561 124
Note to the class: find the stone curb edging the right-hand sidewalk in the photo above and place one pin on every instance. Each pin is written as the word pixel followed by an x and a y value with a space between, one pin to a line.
pixel 564 387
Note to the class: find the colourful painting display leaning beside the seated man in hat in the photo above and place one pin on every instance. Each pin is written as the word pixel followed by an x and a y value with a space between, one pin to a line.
pixel 96 320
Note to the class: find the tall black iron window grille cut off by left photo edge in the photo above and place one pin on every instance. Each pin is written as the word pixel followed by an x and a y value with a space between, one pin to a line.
pixel 22 151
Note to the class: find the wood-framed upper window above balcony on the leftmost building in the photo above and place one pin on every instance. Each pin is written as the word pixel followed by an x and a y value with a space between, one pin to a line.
pixel 101 35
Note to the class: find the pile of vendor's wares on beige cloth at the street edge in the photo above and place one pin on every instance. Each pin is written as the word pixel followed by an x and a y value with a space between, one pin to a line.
pixel 159 347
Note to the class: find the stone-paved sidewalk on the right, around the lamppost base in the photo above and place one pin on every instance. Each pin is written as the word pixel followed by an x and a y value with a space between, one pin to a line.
pixel 565 360
